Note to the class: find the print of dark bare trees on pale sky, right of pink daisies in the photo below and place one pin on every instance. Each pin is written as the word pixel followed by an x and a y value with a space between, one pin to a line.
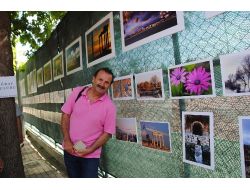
pixel 235 71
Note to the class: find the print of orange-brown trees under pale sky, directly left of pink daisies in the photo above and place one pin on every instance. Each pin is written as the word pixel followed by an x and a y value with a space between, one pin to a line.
pixel 149 85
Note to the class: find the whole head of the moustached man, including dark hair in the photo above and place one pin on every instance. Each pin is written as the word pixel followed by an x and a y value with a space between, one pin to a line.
pixel 102 80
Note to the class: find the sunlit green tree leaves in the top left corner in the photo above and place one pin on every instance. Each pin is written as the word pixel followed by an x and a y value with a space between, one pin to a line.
pixel 33 27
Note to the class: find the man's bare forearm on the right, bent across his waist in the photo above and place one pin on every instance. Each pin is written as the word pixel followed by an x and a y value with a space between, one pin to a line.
pixel 98 143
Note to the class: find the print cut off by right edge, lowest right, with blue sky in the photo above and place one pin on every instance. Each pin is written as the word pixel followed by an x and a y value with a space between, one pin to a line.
pixel 245 145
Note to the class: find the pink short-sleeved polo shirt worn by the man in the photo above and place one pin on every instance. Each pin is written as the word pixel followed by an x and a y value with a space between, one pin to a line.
pixel 88 120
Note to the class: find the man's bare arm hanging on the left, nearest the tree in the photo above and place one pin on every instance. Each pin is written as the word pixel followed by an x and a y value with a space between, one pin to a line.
pixel 68 145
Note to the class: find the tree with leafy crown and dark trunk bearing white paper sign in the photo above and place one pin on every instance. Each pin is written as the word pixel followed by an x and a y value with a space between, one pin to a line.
pixel 31 28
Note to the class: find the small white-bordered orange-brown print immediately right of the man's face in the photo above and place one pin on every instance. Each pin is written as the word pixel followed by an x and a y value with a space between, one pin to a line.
pixel 123 88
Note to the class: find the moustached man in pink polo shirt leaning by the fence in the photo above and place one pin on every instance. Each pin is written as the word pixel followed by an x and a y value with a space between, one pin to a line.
pixel 90 119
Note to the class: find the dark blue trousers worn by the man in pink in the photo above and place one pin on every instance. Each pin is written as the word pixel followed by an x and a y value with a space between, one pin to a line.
pixel 78 167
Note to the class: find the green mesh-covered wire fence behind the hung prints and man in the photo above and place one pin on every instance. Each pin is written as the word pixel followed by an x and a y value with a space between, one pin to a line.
pixel 202 38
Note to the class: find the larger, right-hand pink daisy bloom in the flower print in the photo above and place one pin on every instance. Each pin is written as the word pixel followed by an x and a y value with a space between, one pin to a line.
pixel 198 81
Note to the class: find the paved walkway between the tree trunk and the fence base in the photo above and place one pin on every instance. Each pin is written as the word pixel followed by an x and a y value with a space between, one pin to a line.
pixel 37 166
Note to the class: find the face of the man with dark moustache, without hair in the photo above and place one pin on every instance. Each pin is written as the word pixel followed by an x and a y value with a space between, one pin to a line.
pixel 102 82
